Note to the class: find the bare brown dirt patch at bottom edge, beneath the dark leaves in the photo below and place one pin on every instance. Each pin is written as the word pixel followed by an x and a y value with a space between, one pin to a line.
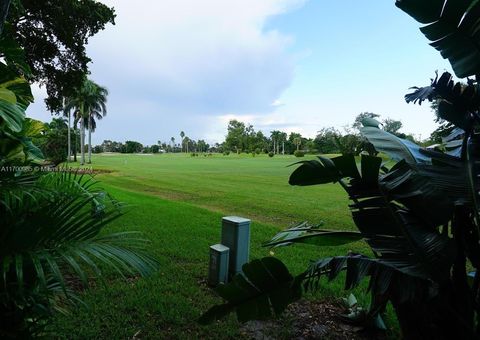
pixel 309 320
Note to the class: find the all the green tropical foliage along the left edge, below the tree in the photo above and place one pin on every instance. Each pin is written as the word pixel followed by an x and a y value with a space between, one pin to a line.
pixel 51 219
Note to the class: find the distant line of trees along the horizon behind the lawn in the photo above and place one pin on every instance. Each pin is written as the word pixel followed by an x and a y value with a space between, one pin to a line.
pixel 243 138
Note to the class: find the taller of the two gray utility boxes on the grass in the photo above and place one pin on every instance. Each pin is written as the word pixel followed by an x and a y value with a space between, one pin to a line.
pixel 236 236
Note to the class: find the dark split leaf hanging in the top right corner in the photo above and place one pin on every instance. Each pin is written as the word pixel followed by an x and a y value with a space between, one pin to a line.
pixel 453 27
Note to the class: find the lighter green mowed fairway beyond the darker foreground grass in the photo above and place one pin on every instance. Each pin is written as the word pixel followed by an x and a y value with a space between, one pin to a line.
pixel 254 187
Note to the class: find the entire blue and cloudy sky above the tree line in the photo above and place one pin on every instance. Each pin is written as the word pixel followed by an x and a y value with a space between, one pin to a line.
pixel 292 65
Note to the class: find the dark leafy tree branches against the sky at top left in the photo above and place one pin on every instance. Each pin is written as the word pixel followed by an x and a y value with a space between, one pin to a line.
pixel 53 35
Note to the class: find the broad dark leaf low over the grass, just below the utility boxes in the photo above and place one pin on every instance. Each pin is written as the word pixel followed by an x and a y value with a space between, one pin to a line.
pixel 265 288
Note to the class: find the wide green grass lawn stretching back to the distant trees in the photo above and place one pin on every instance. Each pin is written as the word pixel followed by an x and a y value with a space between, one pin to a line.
pixel 178 201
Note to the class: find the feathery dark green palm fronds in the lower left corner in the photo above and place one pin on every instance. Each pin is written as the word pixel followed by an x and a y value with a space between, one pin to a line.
pixel 50 237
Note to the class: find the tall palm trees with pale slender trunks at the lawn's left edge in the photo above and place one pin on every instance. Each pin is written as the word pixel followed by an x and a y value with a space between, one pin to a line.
pixel 88 105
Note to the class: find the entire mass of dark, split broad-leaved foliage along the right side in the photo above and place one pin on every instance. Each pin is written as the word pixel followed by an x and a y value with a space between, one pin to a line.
pixel 419 212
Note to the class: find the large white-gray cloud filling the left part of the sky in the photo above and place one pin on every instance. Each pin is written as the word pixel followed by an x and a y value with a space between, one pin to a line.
pixel 169 63
